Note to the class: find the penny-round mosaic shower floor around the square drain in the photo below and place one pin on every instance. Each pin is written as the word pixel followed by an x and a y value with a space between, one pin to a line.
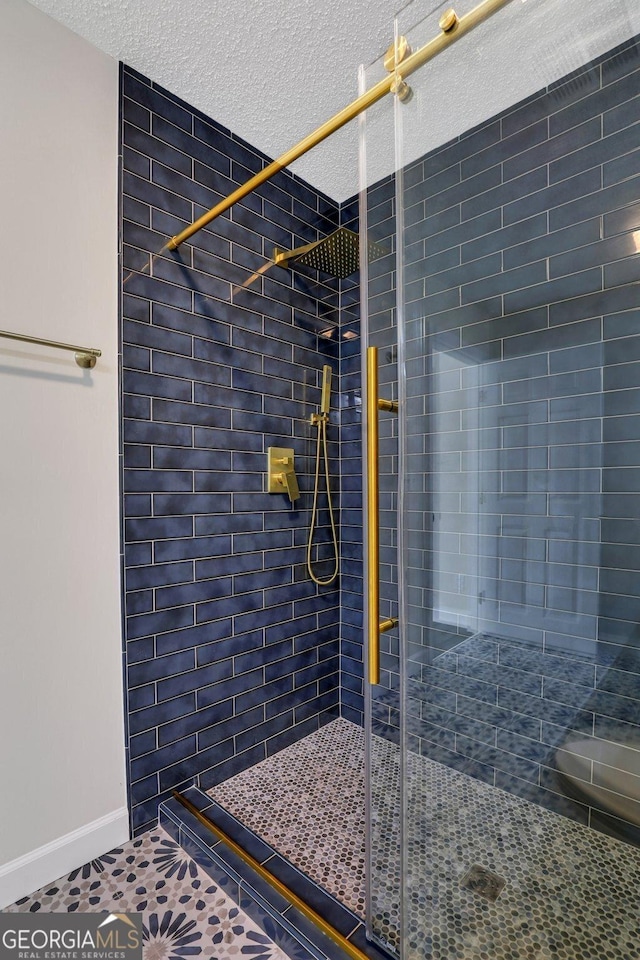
pixel 570 892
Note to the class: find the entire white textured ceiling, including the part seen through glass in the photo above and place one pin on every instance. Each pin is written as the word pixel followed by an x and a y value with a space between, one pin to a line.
pixel 271 71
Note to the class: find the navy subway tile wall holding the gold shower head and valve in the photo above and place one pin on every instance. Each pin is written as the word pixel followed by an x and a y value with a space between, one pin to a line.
pixel 231 651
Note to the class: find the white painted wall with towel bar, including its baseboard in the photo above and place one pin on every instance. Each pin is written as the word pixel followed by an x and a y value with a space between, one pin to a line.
pixel 62 793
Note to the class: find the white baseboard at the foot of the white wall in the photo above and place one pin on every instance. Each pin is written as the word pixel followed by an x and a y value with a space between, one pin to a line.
pixel 52 861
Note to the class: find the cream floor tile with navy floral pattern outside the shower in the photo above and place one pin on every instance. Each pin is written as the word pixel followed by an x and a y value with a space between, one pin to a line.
pixel 184 914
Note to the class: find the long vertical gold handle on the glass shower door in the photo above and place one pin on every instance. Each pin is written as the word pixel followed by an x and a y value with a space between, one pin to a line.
pixel 374 625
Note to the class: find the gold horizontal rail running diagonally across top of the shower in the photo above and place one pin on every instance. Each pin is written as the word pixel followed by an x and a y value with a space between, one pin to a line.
pixel 403 70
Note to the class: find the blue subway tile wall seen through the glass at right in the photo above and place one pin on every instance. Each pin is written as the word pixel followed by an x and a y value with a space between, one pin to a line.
pixel 522 313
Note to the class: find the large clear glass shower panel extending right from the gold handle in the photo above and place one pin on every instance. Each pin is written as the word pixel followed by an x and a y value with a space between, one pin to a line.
pixel 506 723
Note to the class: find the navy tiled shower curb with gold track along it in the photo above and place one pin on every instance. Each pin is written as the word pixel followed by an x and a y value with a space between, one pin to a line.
pixel 251 892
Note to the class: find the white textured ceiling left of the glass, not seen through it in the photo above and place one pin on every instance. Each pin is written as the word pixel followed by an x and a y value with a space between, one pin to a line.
pixel 271 71
